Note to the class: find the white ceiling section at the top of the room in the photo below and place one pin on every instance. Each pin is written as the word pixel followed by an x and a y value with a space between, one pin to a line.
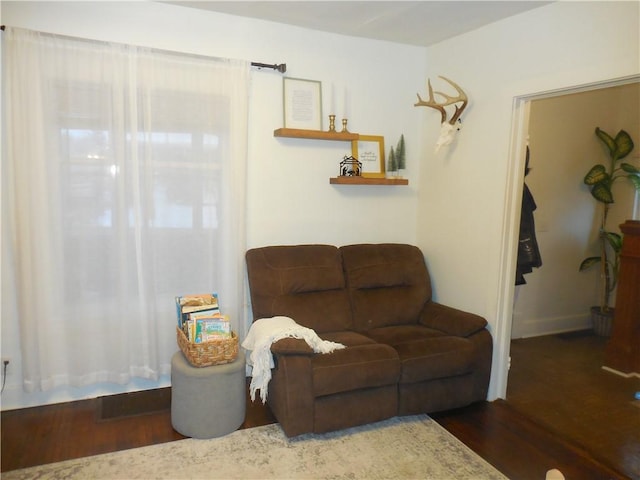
pixel 420 23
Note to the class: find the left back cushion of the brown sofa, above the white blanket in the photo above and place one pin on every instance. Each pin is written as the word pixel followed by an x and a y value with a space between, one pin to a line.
pixel 304 282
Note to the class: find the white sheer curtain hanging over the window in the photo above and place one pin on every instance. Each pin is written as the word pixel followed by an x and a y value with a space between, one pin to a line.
pixel 123 186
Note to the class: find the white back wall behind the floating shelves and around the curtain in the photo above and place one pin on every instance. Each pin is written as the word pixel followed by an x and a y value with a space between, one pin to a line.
pixel 290 199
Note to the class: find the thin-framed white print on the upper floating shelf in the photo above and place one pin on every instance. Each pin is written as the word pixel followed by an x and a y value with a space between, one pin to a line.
pixel 302 104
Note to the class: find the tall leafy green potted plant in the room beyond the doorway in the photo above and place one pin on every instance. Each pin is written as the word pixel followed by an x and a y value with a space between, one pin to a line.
pixel 600 180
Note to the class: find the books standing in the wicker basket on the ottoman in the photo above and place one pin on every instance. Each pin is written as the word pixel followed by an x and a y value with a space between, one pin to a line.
pixel 200 319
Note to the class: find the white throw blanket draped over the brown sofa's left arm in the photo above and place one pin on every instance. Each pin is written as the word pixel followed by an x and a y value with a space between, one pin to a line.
pixel 262 334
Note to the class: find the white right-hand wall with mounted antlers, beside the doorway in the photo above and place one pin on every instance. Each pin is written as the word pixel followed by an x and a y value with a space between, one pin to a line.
pixel 469 196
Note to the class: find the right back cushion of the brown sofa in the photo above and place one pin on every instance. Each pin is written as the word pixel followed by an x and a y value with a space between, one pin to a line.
pixel 388 284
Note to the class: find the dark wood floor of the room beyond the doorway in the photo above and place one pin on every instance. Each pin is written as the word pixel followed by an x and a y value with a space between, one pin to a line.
pixel 558 381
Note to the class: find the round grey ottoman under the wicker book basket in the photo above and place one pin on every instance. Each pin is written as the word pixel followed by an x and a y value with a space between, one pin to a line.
pixel 207 402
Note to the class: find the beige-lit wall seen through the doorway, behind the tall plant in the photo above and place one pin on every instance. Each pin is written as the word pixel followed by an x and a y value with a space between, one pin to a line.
pixel 557 297
